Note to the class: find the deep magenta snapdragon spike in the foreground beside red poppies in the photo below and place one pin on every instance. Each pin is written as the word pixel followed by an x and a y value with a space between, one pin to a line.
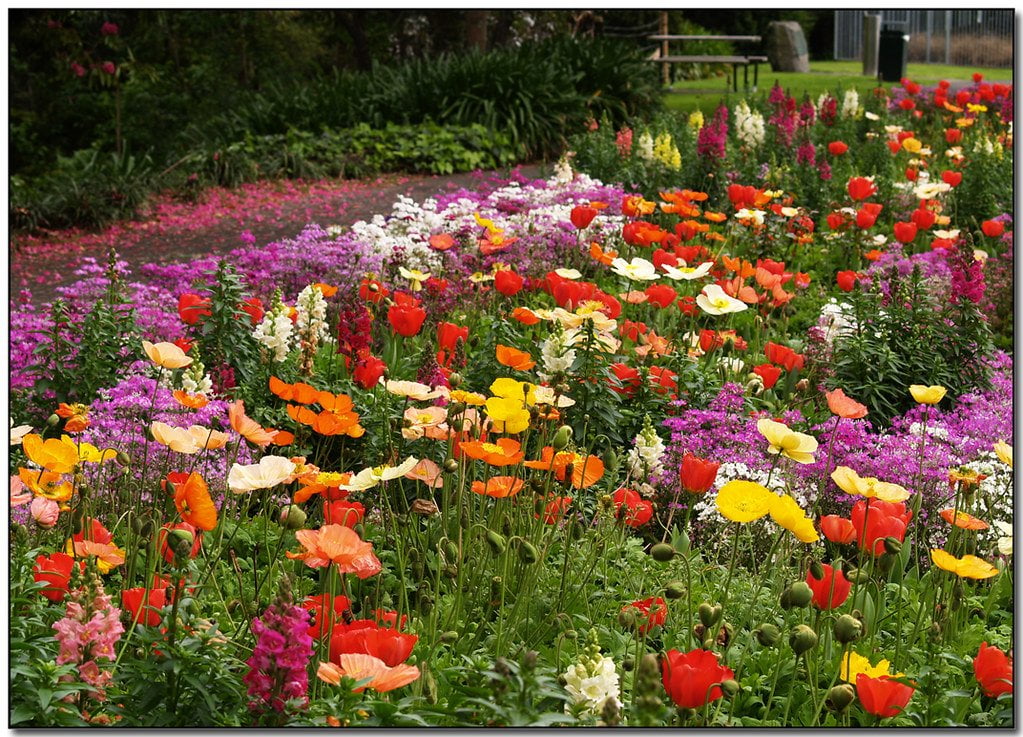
pixel 279 662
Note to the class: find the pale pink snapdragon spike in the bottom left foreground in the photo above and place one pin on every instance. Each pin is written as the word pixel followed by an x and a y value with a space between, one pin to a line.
pixel 90 631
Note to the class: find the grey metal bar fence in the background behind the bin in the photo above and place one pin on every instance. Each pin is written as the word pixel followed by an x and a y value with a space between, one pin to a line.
pixel 978 38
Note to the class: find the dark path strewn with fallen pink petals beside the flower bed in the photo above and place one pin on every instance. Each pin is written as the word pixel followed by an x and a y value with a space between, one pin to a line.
pixel 176 232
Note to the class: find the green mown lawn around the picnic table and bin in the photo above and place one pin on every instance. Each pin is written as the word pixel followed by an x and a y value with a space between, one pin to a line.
pixel 705 95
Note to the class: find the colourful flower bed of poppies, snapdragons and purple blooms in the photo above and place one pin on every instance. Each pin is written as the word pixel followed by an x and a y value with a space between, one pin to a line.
pixel 690 451
